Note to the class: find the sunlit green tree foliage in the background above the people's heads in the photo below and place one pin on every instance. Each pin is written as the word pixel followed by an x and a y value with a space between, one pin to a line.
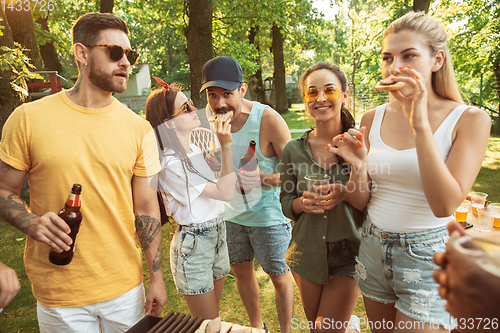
pixel 352 39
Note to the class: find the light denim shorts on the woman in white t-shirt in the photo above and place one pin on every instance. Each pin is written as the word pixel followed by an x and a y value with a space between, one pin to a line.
pixel 198 256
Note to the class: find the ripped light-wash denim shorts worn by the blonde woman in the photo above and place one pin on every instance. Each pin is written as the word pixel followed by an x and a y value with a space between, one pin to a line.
pixel 396 267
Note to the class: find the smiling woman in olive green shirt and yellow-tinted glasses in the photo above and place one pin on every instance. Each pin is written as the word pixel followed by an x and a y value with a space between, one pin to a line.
pixel 326 233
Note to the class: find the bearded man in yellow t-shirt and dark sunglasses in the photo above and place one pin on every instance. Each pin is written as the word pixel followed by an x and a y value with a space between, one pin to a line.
pixel 86 136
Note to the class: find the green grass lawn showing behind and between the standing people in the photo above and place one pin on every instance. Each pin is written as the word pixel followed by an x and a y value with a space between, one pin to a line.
pixel 20 315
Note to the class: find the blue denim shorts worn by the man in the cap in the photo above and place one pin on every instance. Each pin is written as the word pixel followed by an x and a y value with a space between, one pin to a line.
pixel 268 244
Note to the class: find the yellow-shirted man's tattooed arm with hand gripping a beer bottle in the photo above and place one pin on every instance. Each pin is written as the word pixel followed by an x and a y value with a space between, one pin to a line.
pixel 48 228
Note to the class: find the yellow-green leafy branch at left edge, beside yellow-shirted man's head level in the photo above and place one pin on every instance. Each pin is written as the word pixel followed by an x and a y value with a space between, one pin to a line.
pixel 16 62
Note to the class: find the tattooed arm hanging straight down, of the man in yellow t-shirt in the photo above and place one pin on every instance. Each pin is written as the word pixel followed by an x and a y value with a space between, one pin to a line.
pixel 148 227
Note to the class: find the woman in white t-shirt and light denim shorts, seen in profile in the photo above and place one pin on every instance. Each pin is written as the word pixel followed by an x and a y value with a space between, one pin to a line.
pixel 193 198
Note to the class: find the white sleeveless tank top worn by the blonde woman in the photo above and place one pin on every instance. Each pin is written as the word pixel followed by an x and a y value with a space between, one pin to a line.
pixel 397 201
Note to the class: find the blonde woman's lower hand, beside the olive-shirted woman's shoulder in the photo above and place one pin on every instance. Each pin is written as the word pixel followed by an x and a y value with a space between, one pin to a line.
pixel 350 146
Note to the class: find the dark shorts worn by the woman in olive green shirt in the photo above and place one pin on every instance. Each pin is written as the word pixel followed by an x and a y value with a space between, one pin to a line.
pixel 341 259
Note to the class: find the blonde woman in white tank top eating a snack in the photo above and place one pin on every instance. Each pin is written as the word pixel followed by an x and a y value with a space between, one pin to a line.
pixel 423 152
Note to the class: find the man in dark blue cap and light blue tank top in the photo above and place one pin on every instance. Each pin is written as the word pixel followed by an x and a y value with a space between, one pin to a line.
pixel 256 225
